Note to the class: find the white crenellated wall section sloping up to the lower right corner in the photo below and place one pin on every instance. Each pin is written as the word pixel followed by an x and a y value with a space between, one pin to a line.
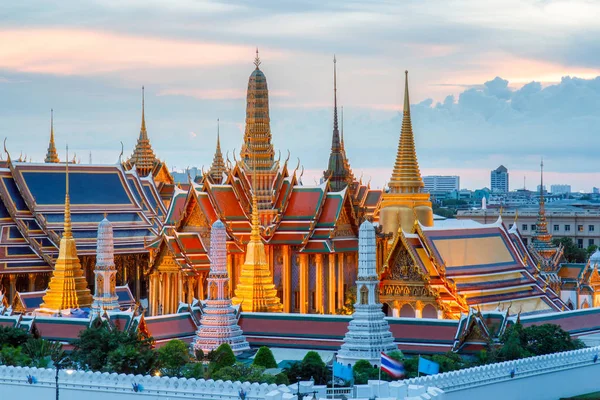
pixel 548 377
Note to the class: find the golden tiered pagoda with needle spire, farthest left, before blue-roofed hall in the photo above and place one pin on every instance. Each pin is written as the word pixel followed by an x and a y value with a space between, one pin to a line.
pixel 67 288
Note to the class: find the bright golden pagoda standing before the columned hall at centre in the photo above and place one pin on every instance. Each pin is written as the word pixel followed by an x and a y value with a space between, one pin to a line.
pixel 255 291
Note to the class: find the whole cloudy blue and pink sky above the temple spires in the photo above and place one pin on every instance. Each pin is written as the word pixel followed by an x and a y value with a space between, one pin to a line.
pixel 495 82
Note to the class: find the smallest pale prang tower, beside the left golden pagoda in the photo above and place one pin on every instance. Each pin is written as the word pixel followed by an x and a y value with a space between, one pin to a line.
pixel 105 297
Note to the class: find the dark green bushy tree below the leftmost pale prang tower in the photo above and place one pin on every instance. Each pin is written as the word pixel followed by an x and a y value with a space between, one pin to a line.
pixel 97 343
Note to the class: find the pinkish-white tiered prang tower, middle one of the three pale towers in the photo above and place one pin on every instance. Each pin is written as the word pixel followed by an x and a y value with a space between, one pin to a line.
pixel 218 324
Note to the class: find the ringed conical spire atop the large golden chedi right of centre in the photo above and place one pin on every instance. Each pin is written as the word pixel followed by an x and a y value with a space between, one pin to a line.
pixel 406 177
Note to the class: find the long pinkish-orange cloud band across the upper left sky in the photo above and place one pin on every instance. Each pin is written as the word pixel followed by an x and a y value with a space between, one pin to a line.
pixel 86 52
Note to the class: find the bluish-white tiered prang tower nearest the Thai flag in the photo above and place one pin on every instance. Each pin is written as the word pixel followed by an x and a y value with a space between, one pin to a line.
pixel 368 332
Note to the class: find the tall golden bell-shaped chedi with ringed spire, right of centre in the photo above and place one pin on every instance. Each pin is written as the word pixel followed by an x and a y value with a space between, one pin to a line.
pixel 405 202
